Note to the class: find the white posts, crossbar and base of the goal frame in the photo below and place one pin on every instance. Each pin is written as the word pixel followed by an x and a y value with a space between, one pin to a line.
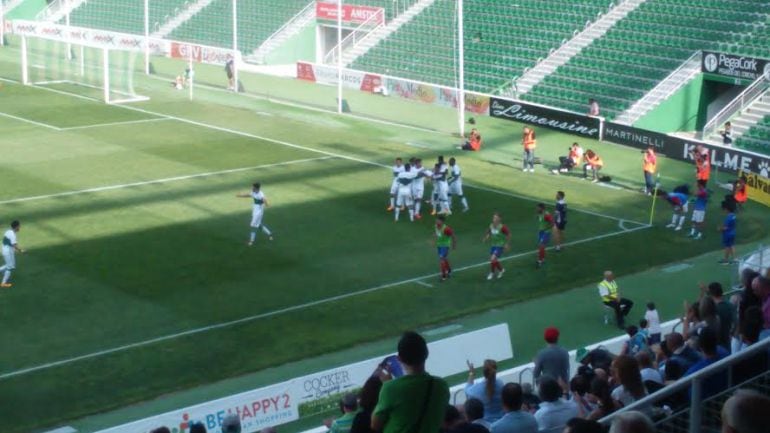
pixel 108 94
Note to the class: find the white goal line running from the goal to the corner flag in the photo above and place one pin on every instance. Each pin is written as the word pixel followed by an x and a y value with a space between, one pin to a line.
pixel 297 146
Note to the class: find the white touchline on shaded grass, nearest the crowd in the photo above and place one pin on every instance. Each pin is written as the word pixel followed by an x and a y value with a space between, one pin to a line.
pixel 281 311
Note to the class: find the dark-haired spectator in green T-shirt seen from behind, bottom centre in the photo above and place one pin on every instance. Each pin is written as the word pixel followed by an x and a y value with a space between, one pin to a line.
pixel 415 402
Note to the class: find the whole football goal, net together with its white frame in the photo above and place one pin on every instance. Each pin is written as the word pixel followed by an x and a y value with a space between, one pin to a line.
pixel 101 73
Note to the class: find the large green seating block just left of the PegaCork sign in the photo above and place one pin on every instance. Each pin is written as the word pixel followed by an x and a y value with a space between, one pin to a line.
pixel 644 48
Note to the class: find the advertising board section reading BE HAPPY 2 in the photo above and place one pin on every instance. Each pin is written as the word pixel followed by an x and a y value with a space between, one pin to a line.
pixel 258 409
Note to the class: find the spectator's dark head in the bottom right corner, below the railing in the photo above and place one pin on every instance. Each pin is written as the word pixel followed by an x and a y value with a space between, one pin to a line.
pixel 747 411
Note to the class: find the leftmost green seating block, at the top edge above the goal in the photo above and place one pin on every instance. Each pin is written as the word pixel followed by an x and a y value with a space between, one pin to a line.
pixel 125 16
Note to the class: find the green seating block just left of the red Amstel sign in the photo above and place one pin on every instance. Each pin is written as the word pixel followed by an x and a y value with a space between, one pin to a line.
pixel 257 20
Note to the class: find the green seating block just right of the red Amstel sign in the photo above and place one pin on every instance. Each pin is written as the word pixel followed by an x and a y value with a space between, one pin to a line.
pixel 501 40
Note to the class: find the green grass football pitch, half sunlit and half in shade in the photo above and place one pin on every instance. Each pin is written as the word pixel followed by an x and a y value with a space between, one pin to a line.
pixel 138 280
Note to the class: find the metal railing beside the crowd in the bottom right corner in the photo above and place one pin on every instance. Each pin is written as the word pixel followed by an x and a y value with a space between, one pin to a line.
pixel 694 384
